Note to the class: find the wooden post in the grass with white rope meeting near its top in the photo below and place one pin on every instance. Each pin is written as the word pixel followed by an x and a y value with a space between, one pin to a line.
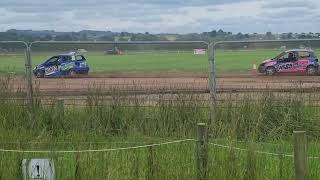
pixel 202 151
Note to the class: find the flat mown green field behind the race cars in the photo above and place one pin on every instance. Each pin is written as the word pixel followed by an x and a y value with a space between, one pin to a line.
pixel 226 61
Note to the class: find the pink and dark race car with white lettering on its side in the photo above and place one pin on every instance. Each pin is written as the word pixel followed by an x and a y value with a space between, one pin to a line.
pixel 291 61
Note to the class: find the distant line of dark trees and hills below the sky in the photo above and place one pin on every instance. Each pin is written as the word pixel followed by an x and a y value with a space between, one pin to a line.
pixel 88 35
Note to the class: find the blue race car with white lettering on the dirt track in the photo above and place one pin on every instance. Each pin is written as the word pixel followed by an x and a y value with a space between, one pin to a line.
pixel 62 65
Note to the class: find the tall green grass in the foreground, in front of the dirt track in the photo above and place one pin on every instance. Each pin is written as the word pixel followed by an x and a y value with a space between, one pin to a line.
pixel 263 123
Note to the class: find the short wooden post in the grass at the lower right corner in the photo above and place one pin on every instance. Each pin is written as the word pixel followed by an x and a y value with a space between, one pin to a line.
pixel 300 155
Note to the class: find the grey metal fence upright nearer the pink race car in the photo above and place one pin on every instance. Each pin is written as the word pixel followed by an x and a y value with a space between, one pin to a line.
pixel 212 73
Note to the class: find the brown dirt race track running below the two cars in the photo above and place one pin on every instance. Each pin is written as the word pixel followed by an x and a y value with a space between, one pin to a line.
pixel 227 83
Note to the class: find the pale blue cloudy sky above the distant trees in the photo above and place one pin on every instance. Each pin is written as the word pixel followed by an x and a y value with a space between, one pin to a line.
pixel 162 16
